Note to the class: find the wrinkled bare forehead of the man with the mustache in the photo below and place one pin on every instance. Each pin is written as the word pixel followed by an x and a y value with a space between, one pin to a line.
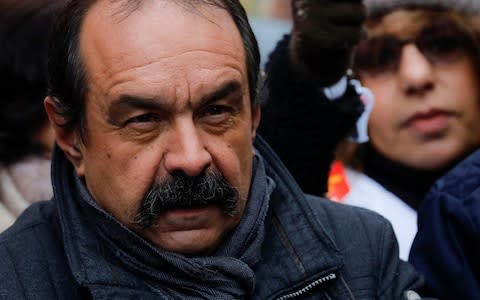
pixel 157 46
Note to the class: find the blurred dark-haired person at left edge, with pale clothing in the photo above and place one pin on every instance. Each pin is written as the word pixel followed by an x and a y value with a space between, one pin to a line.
pixel 26 138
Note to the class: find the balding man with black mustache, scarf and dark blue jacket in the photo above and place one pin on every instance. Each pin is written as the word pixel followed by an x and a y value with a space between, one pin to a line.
pixel 162 190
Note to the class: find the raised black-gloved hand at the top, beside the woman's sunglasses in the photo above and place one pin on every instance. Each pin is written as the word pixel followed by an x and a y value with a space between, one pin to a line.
pixel 323 36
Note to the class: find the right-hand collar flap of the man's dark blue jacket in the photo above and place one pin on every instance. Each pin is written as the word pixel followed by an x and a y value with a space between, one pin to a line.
pixel 297 249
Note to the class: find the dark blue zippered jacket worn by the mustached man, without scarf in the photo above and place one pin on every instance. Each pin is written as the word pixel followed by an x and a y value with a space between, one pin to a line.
pixel 313 249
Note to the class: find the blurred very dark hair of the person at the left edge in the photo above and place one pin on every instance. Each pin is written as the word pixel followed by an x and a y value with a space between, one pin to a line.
pixel 24 32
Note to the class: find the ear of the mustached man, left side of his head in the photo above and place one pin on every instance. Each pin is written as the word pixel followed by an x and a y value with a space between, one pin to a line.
pixel 67 139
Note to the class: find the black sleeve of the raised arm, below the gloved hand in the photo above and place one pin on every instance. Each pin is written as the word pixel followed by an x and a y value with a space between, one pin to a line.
pixel 297 116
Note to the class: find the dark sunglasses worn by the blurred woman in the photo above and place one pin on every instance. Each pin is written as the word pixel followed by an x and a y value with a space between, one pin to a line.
pixel 440 42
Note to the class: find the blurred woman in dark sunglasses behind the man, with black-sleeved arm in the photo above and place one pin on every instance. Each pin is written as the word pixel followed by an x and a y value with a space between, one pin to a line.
pixel 420 60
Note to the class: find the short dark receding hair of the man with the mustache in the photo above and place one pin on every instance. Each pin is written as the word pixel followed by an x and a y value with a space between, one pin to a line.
pixel 67 76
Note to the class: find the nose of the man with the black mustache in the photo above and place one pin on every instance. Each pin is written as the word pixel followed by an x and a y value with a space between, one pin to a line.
pixel 187 150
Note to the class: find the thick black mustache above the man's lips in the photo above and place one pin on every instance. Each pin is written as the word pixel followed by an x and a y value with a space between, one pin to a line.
pixel 183 191
